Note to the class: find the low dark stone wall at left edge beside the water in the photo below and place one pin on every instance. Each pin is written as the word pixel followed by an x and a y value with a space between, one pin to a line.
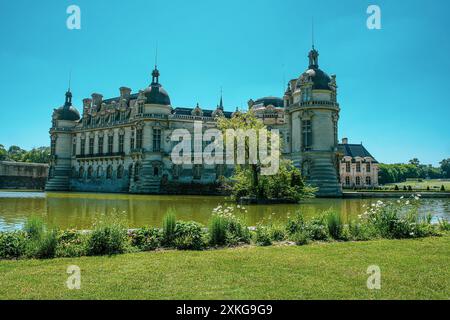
pixel 22 175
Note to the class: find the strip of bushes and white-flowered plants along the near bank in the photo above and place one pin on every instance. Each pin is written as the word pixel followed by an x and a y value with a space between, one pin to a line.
pixel 389 220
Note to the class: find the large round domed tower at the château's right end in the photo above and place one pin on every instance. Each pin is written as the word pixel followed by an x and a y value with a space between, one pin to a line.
pixel 313 114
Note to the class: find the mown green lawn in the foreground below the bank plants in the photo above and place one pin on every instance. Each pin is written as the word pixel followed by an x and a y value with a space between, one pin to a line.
pixel 411 269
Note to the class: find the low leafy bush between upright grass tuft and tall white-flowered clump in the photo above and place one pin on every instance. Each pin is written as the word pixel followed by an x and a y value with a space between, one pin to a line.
pixel 188 236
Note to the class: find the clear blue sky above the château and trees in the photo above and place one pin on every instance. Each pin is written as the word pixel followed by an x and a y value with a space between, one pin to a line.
pixel 394 83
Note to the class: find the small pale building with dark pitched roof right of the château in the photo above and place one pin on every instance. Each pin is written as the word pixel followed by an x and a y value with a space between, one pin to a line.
pixel 358 168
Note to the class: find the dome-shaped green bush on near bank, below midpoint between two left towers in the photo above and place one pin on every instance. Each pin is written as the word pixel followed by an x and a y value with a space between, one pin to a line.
pixel 107 238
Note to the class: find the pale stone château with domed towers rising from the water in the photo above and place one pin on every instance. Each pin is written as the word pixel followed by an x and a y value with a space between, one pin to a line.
pixel 123 144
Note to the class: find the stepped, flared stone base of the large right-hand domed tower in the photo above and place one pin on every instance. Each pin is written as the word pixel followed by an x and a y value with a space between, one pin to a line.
pixel 323 175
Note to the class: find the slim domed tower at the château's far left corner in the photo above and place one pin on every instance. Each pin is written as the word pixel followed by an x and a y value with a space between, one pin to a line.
pixel 64 119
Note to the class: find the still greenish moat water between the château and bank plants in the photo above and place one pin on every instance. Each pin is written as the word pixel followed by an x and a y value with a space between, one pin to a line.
pixel 79 210
